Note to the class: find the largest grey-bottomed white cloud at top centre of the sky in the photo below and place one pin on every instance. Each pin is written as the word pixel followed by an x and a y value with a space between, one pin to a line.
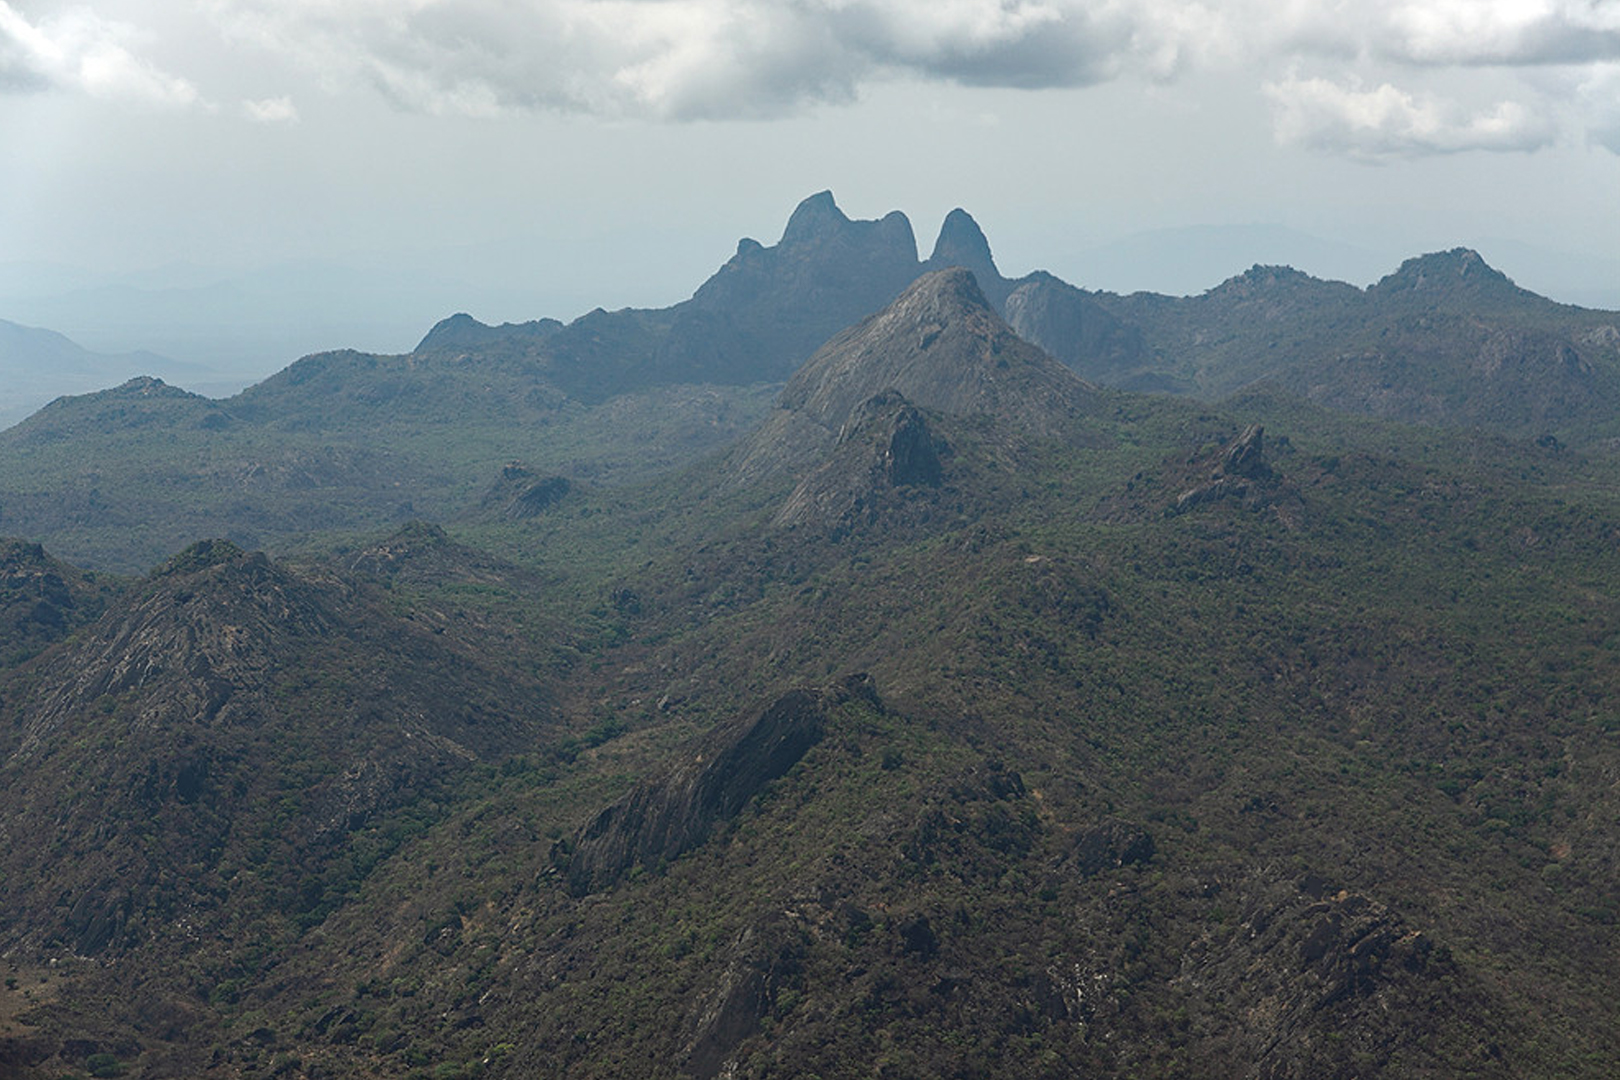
pixel 693 59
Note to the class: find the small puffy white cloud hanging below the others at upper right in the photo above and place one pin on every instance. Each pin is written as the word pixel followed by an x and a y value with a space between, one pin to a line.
pixel 1388 122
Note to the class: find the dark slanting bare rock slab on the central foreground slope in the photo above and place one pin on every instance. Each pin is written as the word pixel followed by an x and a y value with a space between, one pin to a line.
pixel 665 819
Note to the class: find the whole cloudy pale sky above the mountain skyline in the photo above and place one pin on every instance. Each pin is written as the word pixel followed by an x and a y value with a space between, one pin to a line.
pixel 310 174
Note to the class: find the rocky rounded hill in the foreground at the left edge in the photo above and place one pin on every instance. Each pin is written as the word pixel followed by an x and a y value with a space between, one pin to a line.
pixel 158 742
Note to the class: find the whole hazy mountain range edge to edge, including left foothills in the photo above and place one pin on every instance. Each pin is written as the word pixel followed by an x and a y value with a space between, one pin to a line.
pixel 1443 341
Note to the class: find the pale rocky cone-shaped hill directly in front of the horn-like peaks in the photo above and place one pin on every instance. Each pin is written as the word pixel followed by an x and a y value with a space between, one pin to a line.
pixel 944 349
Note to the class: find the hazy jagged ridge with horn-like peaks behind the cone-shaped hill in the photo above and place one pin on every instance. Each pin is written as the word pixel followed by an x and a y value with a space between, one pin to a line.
pixel 1446 339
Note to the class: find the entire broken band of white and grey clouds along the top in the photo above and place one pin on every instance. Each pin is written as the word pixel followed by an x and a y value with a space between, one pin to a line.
pixel 759 59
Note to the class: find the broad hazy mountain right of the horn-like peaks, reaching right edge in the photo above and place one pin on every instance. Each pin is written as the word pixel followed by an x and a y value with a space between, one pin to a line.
pixel 1444 341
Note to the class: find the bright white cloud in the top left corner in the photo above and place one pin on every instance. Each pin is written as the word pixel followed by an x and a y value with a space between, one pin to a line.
pixel 80 51
